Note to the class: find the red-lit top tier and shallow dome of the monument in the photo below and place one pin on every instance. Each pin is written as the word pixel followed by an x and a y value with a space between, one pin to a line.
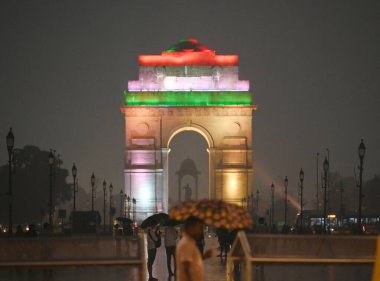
pixel 188 52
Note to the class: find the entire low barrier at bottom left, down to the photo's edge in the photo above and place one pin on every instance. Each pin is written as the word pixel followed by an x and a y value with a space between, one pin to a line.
pixel 85 258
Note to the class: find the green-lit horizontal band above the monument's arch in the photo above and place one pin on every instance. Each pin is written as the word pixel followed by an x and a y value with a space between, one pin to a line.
pixel 192 98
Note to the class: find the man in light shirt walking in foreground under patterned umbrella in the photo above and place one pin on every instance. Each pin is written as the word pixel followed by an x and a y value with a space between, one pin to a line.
pixel 189 260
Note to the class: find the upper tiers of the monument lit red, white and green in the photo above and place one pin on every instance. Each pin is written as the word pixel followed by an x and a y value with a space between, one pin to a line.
pixel 188 74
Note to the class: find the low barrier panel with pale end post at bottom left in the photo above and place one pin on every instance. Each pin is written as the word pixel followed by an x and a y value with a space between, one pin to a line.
pixel 74 252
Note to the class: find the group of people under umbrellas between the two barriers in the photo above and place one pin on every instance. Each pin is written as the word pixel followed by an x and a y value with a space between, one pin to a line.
pixel 185 246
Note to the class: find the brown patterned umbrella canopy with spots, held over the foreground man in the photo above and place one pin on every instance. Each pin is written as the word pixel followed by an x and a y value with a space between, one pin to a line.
pixel 215 213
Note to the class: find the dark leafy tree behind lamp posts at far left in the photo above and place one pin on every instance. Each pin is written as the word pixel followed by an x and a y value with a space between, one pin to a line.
pixel 30 185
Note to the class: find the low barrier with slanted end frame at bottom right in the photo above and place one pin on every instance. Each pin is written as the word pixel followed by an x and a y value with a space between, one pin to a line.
pixel 302 257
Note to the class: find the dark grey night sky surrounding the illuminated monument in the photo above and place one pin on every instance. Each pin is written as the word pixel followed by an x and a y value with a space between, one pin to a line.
pixel 313 65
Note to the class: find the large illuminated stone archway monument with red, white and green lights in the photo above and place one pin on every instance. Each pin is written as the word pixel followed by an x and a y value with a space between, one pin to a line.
pixel 187 87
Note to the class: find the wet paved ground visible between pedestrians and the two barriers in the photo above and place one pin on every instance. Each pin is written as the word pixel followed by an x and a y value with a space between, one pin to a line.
pixel 215 268
